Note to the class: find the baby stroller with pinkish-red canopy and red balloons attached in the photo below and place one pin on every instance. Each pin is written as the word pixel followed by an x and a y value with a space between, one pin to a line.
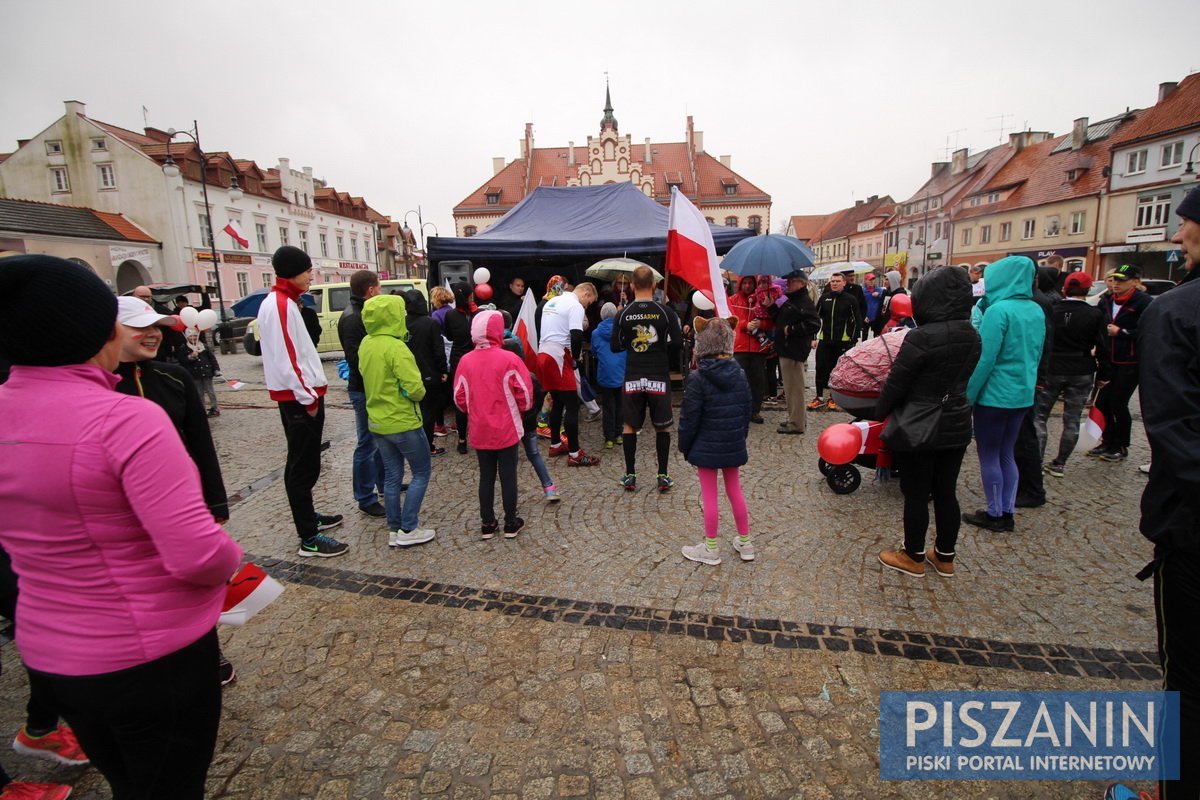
pixel 855 386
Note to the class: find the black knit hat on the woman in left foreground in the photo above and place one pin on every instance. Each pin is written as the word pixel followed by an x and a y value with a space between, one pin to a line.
pixel 53 312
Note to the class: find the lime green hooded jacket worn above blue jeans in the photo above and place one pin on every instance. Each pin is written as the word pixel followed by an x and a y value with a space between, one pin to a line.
pixel 391 376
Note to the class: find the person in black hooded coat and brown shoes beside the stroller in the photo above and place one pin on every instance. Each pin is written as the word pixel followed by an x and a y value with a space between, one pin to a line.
pixel 931 430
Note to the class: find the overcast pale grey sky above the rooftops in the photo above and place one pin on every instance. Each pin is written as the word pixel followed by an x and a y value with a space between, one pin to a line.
pixel 406 104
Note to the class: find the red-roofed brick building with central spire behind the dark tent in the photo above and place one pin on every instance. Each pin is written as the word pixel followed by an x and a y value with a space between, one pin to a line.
pixel 724 196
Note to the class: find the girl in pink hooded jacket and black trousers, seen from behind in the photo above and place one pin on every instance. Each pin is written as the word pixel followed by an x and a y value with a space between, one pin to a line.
pixel 494 388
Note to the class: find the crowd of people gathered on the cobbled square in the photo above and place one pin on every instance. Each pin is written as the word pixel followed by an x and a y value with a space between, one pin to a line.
pixel 116 504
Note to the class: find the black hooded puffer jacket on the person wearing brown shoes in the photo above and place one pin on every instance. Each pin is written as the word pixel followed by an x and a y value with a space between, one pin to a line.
pixel 938 358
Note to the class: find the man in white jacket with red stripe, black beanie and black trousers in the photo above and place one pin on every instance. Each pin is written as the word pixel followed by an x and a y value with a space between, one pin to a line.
pixel 297 382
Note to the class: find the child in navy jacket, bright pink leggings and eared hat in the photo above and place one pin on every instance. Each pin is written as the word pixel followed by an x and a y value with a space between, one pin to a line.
pixel 713 426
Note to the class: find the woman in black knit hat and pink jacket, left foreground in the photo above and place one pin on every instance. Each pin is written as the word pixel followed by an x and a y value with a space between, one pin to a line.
pixel 122 568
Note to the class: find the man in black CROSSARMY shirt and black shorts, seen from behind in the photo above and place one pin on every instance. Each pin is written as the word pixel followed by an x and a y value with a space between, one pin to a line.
pixel 651 335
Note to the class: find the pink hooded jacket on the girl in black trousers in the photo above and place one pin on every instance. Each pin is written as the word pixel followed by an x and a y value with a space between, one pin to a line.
pixel 493 386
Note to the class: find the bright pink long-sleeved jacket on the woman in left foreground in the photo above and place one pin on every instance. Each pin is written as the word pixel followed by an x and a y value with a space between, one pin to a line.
pixel 118 558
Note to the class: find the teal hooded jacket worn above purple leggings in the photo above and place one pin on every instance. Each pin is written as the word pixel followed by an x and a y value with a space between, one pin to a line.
pixel 1012 329
